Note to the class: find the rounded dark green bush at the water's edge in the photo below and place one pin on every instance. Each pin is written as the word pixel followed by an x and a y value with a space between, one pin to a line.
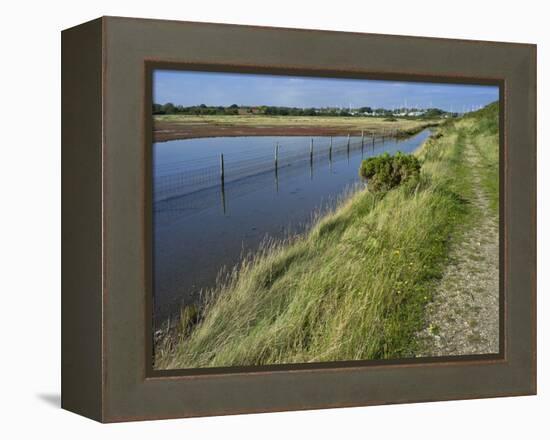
pixel 385 172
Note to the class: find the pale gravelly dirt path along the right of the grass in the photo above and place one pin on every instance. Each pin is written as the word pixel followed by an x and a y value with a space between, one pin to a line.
pixel 463 318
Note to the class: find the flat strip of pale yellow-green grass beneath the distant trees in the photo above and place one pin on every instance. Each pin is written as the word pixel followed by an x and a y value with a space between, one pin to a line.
pixel 352 123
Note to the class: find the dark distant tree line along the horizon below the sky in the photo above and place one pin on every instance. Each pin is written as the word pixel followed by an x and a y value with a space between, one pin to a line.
pixel 234 109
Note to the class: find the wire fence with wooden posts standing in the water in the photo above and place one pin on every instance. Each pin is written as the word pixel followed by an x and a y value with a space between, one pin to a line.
pixel 187 177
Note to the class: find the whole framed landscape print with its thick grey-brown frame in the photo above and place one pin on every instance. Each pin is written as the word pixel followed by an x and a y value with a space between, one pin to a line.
pixel 263 219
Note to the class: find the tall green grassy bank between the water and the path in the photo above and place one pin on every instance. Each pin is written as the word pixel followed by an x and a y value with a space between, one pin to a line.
pixel 354 287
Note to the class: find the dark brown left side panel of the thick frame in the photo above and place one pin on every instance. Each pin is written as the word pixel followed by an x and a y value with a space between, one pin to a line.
pixel 81 213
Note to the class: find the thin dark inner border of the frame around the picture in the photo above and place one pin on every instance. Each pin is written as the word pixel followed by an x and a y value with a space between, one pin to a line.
pixel 152 64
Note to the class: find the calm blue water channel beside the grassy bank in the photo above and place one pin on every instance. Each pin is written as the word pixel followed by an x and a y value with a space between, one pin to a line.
pixel 200 228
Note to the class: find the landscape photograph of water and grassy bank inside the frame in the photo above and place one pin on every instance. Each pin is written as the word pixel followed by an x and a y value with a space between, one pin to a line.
pixel 304 219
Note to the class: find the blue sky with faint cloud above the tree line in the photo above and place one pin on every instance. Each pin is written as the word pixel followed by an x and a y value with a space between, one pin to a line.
pixel 189 88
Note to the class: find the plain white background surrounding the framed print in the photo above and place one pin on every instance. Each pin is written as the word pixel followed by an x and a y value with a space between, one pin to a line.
pixel 30 218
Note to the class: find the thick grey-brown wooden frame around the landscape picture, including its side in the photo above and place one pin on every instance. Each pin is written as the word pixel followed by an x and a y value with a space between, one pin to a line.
pixel 106 215
